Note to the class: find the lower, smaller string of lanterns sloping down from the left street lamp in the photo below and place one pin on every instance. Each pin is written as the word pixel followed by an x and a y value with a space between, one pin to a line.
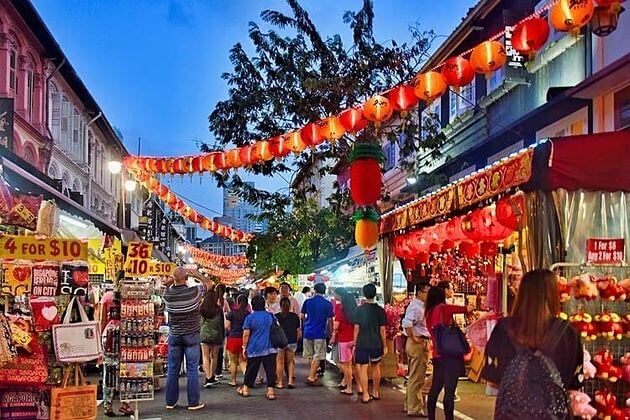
pixel 179 206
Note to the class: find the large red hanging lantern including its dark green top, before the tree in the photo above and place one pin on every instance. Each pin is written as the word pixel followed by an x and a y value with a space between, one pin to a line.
pixel 365 173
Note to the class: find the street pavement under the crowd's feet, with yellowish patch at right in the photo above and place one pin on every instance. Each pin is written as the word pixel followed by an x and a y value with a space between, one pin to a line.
pixel 302 403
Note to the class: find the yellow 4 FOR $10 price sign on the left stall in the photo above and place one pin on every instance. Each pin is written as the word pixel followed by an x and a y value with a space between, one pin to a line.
pixel 49 249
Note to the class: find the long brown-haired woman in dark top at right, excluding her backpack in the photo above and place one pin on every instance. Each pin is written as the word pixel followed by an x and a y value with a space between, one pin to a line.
pixel 533 324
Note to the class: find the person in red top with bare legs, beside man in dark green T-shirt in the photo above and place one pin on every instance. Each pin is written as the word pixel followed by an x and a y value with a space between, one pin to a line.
pixel 343 335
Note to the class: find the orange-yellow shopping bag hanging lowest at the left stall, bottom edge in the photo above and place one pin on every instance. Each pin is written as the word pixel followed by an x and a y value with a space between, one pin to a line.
pixel 75 401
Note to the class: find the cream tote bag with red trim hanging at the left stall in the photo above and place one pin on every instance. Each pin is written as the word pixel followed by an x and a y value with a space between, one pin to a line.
pixel 77 342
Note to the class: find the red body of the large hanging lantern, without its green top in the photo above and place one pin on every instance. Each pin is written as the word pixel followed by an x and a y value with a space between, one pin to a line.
pixel 365 181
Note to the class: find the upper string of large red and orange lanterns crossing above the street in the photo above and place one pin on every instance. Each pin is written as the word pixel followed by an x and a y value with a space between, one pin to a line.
pixel 529 36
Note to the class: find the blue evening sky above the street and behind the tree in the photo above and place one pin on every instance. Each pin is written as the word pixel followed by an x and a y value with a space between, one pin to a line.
pixel 154 66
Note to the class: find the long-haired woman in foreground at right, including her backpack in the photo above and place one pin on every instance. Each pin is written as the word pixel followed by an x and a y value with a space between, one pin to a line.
pixel 533 327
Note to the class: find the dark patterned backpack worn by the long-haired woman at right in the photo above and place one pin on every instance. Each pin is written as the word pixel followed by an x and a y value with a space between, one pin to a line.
pixel 531 386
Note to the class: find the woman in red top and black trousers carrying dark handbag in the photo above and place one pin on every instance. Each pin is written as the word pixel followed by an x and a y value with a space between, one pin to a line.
pixel 448 355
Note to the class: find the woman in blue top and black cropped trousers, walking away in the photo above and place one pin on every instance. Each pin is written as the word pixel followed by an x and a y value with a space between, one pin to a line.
pixel 257 348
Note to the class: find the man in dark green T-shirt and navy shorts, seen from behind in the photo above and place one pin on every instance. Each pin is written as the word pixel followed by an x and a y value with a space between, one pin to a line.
pixel 370 342
